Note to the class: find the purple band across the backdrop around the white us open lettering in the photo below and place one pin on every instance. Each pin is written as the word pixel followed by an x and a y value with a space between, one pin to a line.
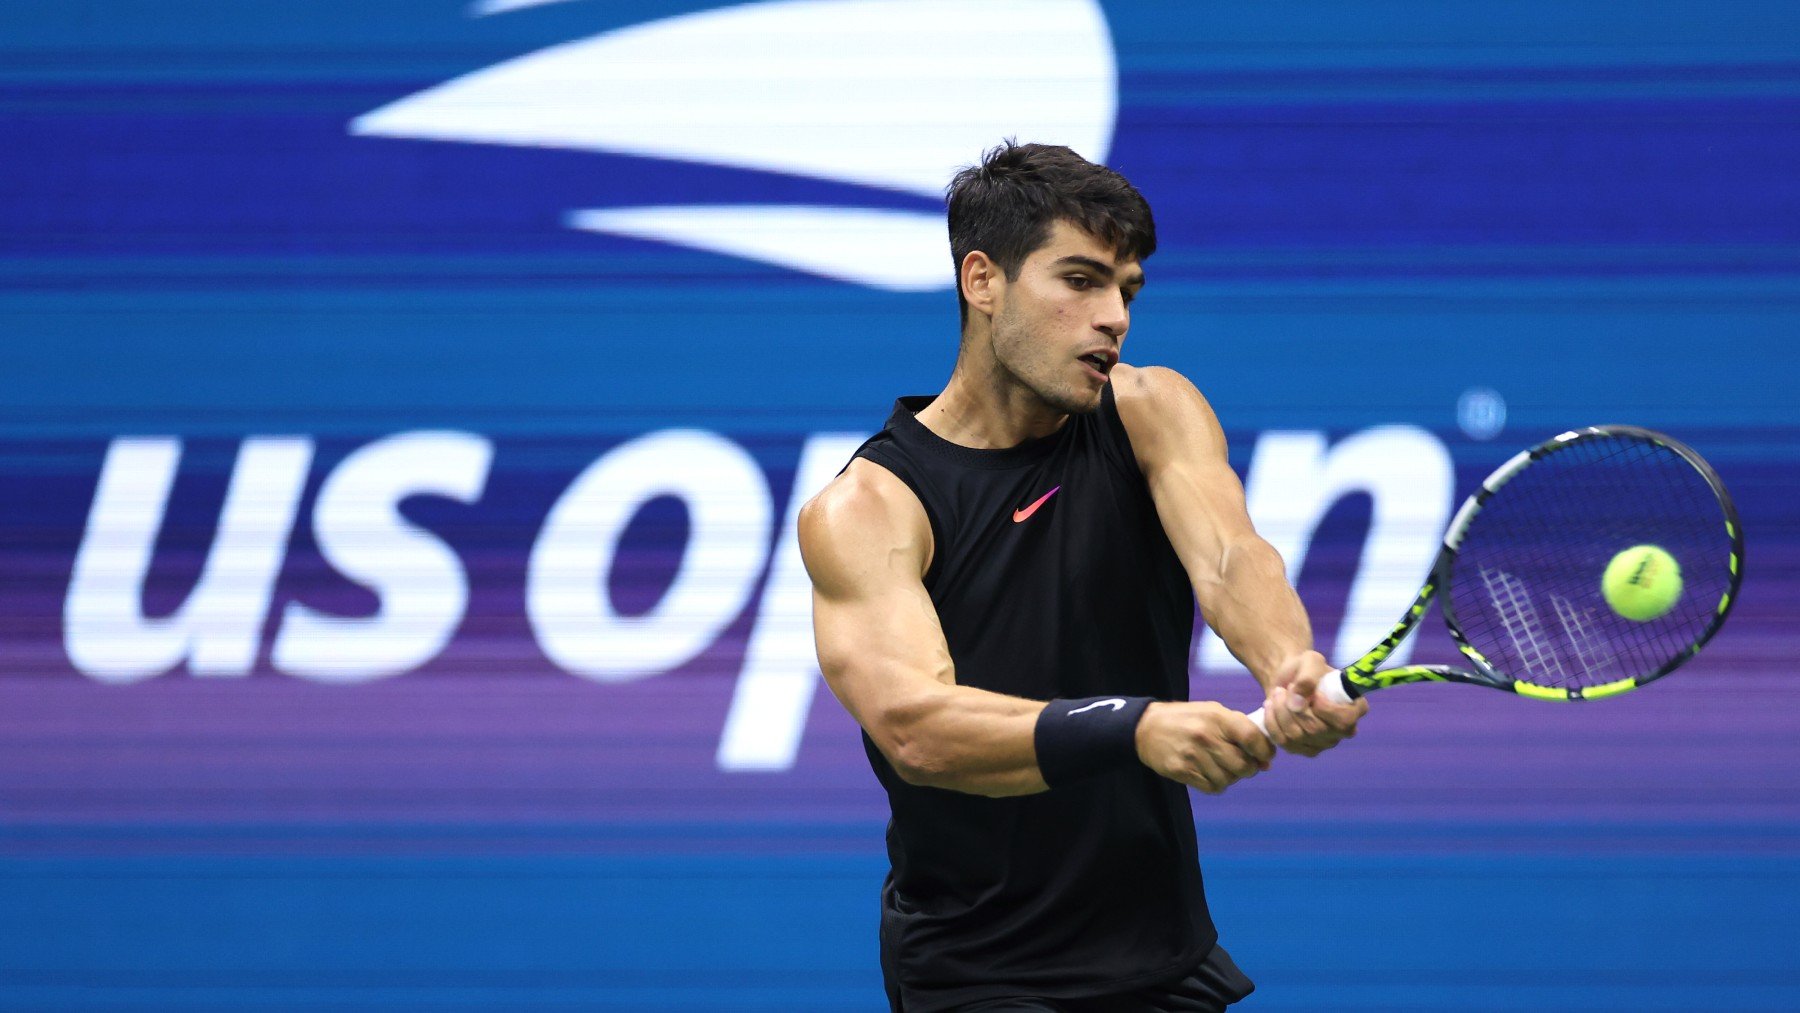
pixel 492 749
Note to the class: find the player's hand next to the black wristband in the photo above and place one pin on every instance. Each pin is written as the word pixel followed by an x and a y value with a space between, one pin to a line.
pixel 1205 746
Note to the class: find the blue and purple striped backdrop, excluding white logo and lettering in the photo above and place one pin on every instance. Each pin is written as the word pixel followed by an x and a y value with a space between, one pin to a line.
pixel 1367 211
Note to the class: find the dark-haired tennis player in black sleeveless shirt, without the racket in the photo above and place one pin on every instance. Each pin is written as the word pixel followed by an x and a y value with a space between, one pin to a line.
pixel 1003 596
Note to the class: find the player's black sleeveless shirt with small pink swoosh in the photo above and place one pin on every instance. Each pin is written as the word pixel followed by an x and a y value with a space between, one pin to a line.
pixel 1052 578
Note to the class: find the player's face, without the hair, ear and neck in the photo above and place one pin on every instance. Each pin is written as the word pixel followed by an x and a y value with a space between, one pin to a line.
pixel 1061 325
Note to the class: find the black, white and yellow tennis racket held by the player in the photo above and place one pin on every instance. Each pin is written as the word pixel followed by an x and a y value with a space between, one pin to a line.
pixel 1518 577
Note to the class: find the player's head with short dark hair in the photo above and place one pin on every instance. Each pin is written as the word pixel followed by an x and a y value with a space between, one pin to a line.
pixel 1048 251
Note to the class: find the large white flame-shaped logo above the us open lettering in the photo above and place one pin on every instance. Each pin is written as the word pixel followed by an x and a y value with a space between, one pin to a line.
pixel 890 94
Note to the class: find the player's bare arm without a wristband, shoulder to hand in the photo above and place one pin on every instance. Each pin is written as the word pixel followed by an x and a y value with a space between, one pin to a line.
pixel 1239 580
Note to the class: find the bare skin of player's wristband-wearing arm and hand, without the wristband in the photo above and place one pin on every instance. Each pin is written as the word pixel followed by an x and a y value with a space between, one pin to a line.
pixel 867 546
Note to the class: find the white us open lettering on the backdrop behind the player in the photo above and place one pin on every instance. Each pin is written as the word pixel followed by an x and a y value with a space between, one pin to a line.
pixel 741 551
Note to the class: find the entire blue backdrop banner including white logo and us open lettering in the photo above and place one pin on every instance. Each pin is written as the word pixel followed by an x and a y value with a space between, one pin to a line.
pixel 406 408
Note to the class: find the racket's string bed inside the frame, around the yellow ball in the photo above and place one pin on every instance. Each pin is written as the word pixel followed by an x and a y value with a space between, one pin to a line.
pixel 1527 584
